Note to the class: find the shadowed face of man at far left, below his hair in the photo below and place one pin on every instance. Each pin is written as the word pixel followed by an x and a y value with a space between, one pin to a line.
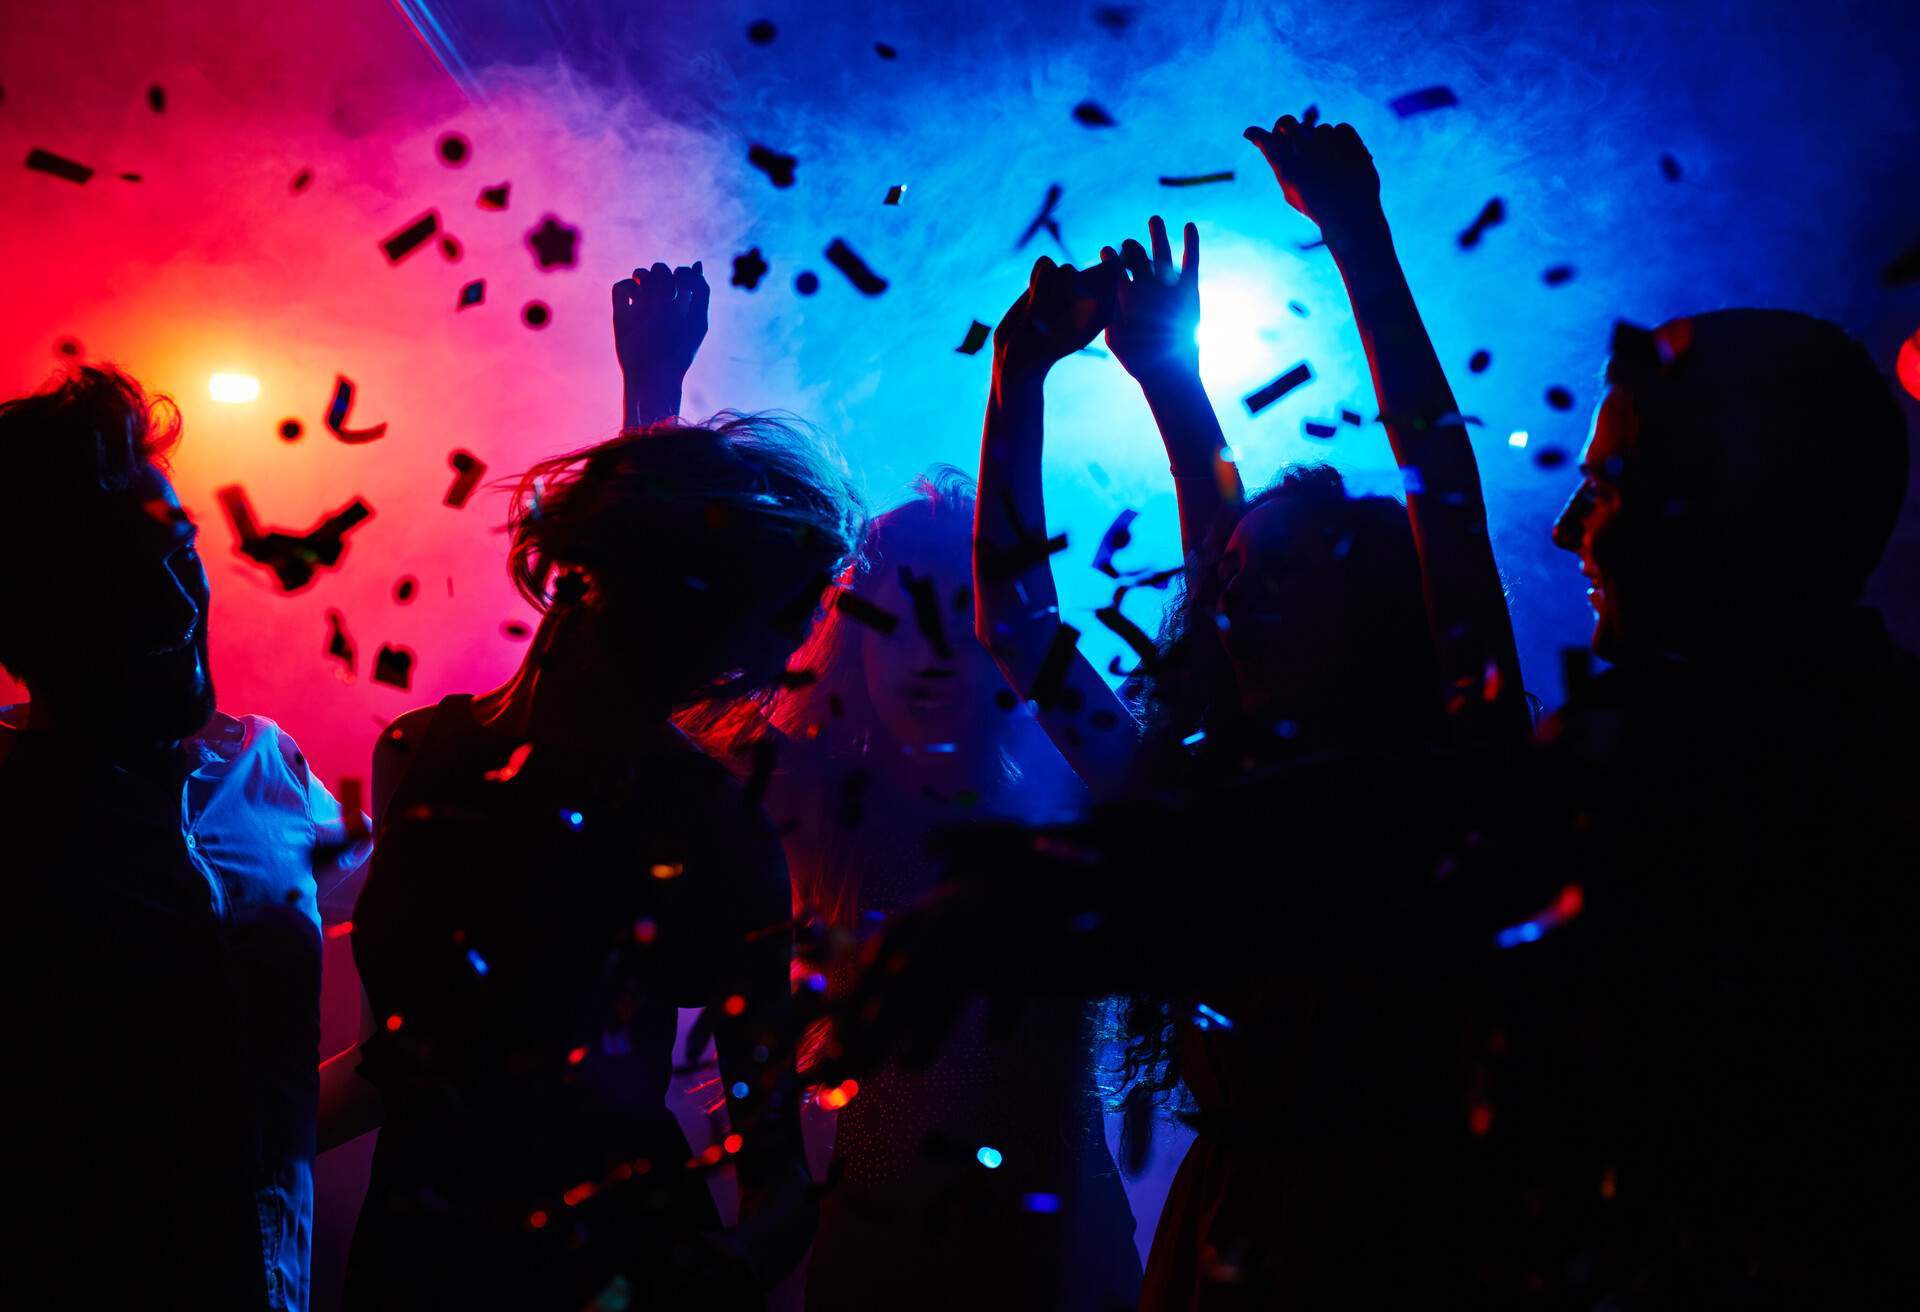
pixel 126 618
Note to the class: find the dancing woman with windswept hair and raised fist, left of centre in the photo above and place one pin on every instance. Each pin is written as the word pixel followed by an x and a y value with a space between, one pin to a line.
pixel 560 869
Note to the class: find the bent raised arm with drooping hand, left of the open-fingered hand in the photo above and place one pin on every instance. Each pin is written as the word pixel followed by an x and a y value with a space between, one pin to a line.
pixel 1017 608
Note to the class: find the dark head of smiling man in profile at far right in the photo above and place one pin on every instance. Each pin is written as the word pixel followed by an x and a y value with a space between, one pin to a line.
pixel 1742 481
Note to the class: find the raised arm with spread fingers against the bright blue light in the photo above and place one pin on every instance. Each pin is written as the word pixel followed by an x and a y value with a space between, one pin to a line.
pixel 1157 310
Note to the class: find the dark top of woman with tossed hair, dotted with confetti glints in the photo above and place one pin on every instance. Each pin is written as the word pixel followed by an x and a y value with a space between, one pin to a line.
pixel 527 942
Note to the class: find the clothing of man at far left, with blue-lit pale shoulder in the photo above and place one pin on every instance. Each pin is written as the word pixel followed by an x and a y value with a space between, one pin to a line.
pixel 168 1011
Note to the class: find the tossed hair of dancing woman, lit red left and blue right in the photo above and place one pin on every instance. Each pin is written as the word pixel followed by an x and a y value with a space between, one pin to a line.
pixel 708 543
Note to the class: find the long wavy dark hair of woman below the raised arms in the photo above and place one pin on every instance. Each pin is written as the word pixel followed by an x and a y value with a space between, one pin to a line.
pixel 1385 689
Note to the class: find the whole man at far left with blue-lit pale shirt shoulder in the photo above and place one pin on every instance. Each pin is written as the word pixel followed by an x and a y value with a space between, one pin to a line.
pixel 162 869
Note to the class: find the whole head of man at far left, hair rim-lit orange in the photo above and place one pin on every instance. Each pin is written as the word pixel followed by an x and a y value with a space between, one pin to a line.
pixel 103 591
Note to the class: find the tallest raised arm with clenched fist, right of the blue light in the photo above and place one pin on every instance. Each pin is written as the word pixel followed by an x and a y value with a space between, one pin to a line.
pixel 1328 176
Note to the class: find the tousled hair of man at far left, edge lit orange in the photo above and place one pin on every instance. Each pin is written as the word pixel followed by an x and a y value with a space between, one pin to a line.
pixel 62 449
